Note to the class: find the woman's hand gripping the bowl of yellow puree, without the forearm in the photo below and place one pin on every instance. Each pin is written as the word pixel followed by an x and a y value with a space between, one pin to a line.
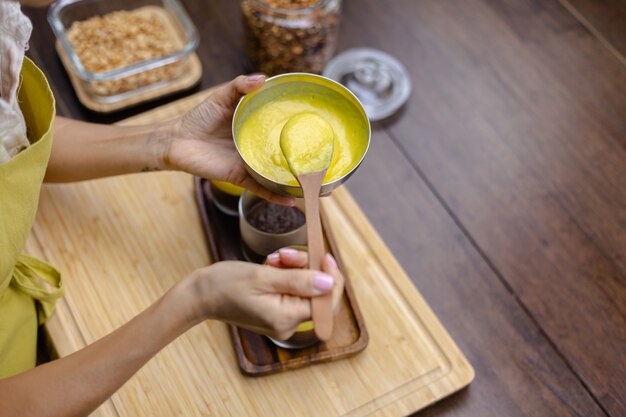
pixel 202 142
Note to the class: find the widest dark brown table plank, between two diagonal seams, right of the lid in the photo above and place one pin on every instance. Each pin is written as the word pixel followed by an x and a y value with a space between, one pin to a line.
pixel 518 126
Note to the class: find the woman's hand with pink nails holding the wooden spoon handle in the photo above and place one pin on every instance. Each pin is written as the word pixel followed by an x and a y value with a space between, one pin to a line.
pixel 262 298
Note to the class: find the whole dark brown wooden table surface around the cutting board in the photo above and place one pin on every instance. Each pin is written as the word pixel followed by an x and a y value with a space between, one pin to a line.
pixel 500 187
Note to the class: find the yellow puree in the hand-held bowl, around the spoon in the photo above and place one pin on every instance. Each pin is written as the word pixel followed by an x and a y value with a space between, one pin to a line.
pixel 258 138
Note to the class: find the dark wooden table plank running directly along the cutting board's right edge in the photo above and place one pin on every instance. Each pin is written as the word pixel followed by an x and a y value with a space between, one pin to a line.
pixel 518 371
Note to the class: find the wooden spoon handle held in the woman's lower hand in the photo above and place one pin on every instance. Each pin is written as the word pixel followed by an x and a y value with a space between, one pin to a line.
pixel 322 305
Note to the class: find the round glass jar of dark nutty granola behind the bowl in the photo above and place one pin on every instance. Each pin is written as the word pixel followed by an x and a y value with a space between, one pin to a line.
pixel 290 35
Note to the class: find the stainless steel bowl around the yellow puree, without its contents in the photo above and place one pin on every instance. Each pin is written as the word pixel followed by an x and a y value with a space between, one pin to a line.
pixel 292 83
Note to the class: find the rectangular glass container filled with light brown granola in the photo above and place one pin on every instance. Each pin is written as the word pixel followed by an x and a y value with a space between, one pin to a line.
pixel 115 50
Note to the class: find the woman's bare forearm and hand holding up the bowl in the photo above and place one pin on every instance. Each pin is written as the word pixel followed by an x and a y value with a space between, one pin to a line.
pixel 199 142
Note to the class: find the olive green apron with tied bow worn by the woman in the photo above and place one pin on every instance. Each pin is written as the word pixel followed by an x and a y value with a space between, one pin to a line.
pixel 28 287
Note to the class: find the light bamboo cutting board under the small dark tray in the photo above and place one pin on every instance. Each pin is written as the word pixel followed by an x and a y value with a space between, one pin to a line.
pixel 122 242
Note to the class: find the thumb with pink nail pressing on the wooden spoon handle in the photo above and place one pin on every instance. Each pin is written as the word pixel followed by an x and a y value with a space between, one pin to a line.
pixel 298 282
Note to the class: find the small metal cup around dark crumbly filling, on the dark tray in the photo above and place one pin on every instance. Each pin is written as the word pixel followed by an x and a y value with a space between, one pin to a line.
pixel 257 244
